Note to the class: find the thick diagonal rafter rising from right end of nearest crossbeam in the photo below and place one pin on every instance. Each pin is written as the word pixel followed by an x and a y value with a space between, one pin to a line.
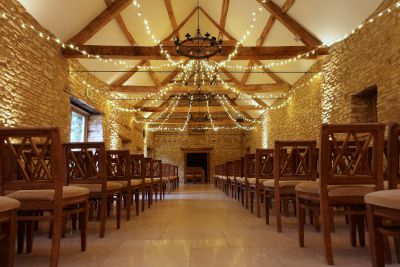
pixel 291 24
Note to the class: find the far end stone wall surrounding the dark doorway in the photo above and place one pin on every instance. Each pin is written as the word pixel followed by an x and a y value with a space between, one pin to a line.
pixel 226 145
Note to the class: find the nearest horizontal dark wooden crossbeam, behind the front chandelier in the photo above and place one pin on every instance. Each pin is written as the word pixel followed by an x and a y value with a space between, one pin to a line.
pixel 153 53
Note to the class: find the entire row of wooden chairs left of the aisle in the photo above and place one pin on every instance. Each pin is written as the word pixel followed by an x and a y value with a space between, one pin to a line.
pixel 42 179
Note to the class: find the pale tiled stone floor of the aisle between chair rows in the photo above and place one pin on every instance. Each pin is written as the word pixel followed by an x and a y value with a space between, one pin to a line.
pixel 197 226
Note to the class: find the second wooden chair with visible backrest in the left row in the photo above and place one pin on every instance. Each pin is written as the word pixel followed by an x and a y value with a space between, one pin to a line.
pixel 87 168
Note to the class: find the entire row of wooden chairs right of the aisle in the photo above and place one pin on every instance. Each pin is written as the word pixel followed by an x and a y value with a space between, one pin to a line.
pixel 354 171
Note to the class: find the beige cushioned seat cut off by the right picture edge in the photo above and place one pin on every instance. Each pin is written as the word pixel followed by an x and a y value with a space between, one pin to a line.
pixel 386 198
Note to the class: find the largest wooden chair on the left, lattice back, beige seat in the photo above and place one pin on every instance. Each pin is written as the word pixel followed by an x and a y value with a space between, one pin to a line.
pixel 32 171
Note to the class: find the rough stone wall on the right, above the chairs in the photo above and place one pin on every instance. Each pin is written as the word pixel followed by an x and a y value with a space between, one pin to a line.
pixel 369 58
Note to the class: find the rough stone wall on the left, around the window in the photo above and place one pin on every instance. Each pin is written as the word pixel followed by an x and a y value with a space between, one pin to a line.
pixel 36 83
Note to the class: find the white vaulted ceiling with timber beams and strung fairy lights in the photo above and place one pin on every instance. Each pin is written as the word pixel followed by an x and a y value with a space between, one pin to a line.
pixel 259 59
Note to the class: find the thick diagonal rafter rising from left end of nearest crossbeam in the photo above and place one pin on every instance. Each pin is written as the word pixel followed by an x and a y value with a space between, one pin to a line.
pixel 110 13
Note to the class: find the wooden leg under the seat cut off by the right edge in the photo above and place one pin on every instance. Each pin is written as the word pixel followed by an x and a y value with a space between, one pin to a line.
pixel 376 239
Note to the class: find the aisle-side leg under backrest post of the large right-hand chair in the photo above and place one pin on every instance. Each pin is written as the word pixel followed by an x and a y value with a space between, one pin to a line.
pixel 326 231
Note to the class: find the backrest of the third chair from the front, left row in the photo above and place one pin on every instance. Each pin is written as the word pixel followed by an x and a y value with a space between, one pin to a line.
pixel 118 166
